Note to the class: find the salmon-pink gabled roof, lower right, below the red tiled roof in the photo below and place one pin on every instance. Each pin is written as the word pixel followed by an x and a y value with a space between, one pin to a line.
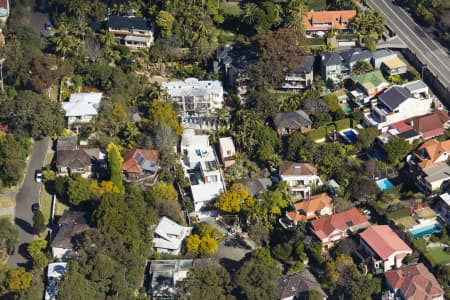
pixel 384 241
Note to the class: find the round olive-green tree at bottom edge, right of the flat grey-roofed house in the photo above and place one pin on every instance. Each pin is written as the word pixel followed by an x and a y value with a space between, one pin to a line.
pixel 208 282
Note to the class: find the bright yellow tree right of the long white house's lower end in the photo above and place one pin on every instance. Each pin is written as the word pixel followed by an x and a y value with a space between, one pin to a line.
pixel 235 200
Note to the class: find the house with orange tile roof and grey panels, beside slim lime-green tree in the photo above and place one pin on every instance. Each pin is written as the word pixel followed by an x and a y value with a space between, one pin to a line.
pixel 141 166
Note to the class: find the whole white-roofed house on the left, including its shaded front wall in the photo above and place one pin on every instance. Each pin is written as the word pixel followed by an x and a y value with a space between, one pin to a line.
pixel 81 108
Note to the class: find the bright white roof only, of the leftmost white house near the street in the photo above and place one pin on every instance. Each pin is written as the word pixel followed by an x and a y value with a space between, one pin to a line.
pixel 82 104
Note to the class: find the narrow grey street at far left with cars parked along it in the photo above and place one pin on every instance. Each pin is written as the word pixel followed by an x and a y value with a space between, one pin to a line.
pixel 27 195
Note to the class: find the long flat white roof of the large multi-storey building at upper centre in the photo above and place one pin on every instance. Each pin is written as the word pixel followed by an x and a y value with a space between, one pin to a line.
pixel 193 87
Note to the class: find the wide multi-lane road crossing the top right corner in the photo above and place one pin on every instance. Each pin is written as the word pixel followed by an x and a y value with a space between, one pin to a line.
pixel 428 50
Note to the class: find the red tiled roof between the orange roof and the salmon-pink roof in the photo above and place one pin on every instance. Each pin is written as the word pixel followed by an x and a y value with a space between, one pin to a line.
pixel 324 226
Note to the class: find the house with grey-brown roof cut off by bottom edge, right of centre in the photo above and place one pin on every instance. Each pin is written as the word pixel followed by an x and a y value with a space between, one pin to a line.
pixel 298 285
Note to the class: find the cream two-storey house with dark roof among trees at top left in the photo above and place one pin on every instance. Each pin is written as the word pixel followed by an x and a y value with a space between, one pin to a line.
pixel 131 31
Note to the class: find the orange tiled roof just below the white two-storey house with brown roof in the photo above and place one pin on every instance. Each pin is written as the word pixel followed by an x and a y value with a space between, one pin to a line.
pixel 316 203
